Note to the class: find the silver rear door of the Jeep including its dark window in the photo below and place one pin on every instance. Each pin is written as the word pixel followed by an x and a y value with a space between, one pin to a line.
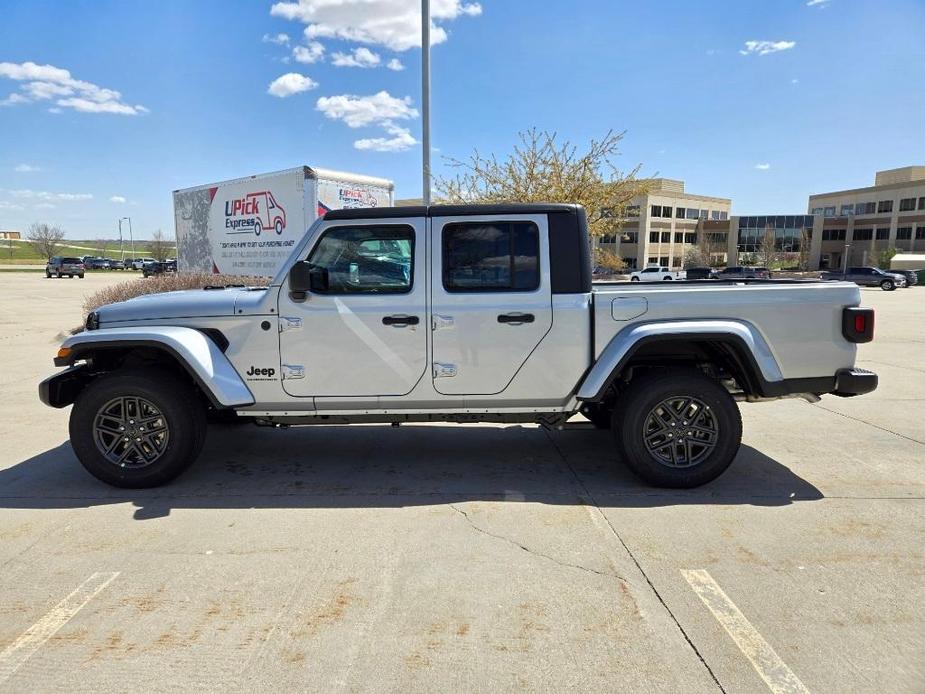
pixel 491 299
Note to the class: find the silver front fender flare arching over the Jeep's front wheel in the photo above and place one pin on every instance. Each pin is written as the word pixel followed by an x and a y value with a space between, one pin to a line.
pixel 192 349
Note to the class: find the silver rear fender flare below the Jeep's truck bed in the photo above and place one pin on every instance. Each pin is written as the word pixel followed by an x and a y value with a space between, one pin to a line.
pixel 626 342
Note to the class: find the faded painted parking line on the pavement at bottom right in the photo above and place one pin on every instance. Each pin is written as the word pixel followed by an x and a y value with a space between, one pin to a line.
pixel 774 671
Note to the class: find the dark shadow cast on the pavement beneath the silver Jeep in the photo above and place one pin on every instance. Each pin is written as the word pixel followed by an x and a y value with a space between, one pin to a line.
pixel 381 466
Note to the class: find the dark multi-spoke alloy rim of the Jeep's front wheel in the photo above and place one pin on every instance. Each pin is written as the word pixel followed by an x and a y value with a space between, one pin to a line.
pixel 131 432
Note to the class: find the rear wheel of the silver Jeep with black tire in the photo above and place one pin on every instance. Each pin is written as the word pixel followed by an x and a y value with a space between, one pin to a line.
pixel 642 400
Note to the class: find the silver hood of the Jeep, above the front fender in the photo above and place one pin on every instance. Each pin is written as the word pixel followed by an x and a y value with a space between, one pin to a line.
pixel 192 303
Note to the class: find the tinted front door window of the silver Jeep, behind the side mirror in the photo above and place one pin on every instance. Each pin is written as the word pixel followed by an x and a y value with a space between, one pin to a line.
pixel 367 259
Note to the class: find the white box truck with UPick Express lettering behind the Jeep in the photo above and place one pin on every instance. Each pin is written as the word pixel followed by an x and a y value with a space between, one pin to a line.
pixel 249 226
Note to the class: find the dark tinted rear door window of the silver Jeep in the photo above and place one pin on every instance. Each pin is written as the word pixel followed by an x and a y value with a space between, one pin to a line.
pixel 491 257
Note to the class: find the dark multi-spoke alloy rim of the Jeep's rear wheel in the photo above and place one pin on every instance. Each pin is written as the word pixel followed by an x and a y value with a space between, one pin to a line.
pixel 680 432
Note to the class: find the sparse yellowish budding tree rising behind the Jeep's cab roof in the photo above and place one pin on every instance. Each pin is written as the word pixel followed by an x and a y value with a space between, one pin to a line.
pixel 540 169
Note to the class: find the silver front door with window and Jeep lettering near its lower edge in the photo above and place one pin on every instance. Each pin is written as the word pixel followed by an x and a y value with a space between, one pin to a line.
pixel 366 333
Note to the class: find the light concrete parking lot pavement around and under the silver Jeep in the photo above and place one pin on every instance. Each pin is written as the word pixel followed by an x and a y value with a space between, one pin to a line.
pixel 467 557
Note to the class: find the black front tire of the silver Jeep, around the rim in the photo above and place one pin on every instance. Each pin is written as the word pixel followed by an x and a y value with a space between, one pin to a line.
pixel 178 404
